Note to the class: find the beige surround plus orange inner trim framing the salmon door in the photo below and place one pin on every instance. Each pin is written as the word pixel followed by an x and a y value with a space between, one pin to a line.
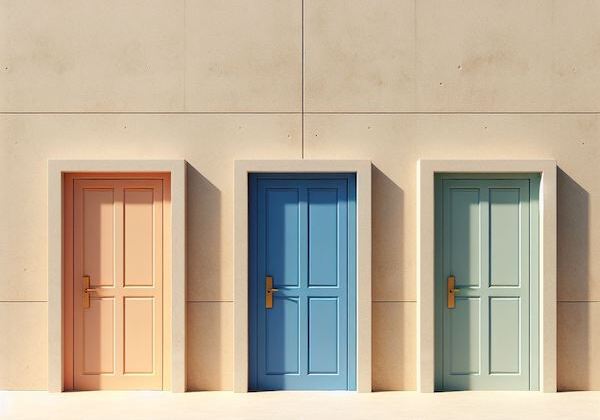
pixel 59 173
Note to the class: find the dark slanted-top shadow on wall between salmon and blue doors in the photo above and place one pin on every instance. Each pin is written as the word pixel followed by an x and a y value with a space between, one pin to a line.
pixel 203 288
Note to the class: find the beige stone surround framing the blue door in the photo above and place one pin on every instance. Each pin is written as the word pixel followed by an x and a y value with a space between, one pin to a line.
pixel 362 169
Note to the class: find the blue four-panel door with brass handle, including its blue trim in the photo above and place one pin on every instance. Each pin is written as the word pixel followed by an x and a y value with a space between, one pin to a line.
pixel 302 294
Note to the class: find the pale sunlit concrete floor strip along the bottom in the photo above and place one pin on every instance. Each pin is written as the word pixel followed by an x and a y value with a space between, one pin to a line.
pixel 299 405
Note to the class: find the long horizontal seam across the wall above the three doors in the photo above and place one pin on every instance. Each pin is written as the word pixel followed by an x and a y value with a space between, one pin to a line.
pixel 300 113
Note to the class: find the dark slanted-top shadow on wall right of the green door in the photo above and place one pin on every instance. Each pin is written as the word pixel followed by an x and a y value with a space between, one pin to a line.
pixel 573 225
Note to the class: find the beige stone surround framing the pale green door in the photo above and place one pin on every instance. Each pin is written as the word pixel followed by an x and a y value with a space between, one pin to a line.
pixel 426 171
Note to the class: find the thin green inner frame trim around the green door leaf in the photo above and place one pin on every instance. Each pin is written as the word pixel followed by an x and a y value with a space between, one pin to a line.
pixel 534 214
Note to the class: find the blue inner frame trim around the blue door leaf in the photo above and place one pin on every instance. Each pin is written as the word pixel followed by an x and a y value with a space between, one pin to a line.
pixel 254 182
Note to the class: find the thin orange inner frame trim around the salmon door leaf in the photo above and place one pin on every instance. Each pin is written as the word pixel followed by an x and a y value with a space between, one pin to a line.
pixel 68 266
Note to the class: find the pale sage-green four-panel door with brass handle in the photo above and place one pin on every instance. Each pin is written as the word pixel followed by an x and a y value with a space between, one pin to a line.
pixel 487 246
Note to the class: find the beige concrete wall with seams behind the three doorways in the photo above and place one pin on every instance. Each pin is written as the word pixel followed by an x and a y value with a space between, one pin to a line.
pixel 214 81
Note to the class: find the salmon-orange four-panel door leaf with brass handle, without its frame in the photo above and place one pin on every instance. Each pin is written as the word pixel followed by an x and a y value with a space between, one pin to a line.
pixel 117 284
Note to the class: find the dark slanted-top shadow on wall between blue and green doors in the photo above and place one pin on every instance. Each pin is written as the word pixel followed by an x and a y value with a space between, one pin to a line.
pixel 391 358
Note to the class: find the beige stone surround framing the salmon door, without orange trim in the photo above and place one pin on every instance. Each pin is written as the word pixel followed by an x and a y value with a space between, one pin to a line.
pixel 56 171
